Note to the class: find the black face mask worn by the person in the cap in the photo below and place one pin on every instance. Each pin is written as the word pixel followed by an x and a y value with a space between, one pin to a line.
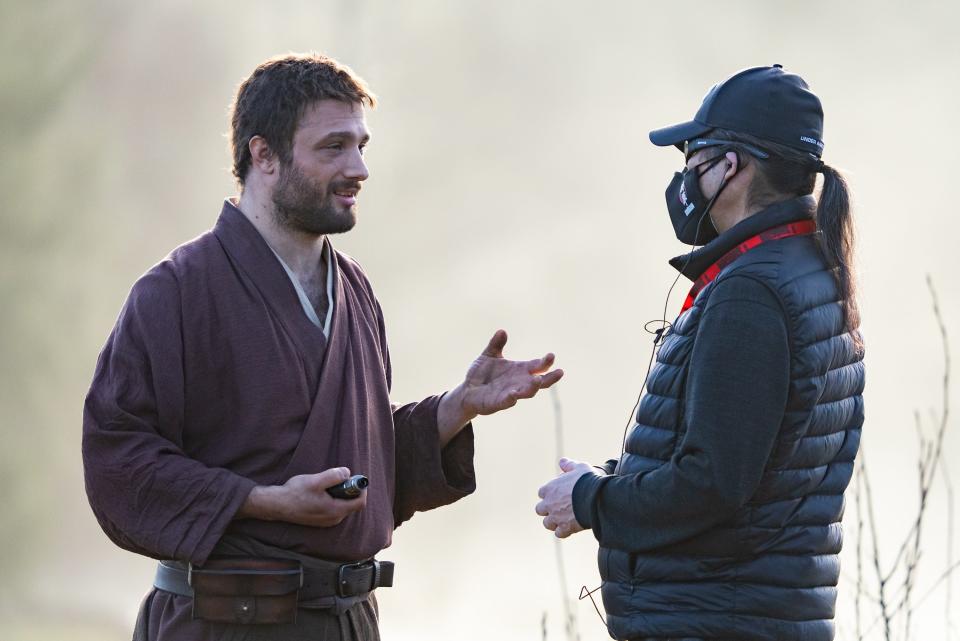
pixel 689 210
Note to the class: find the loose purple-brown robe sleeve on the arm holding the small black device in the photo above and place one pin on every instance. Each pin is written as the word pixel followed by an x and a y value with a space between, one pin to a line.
pixel 147 494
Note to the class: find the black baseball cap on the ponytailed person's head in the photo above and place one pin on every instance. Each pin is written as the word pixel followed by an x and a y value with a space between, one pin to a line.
pixel 765 102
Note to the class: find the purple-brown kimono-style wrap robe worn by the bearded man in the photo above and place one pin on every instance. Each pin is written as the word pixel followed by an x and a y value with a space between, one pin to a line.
pixel 214 380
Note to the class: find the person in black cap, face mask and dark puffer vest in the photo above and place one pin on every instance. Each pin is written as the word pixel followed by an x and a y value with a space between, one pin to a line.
pixel 721 517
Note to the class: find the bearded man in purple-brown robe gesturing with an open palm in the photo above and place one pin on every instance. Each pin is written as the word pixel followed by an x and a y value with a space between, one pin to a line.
pixel 248 373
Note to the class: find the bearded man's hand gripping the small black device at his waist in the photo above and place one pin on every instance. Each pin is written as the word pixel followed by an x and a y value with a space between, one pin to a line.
pixel 303 500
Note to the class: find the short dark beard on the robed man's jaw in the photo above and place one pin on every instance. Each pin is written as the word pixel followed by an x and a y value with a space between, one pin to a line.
pixel 303 206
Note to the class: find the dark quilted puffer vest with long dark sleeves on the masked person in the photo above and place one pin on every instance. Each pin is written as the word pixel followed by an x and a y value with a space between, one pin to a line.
pixel 723 520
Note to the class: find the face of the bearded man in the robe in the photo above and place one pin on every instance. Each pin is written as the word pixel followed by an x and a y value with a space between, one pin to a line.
pixel 316 192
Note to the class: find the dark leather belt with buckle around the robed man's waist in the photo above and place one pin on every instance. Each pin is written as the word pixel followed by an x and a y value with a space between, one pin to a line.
pixel 344 580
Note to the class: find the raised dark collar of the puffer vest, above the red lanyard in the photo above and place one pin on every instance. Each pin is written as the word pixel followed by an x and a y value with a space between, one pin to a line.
pixel 694 263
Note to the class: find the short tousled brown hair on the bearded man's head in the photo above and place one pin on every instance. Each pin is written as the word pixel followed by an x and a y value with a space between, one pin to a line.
pixel 270 102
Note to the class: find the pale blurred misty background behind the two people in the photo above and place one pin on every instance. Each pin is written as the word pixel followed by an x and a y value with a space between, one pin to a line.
pixel 512 185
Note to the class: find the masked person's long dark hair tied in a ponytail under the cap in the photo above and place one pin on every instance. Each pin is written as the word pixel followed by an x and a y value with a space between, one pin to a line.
pixel 788 173
